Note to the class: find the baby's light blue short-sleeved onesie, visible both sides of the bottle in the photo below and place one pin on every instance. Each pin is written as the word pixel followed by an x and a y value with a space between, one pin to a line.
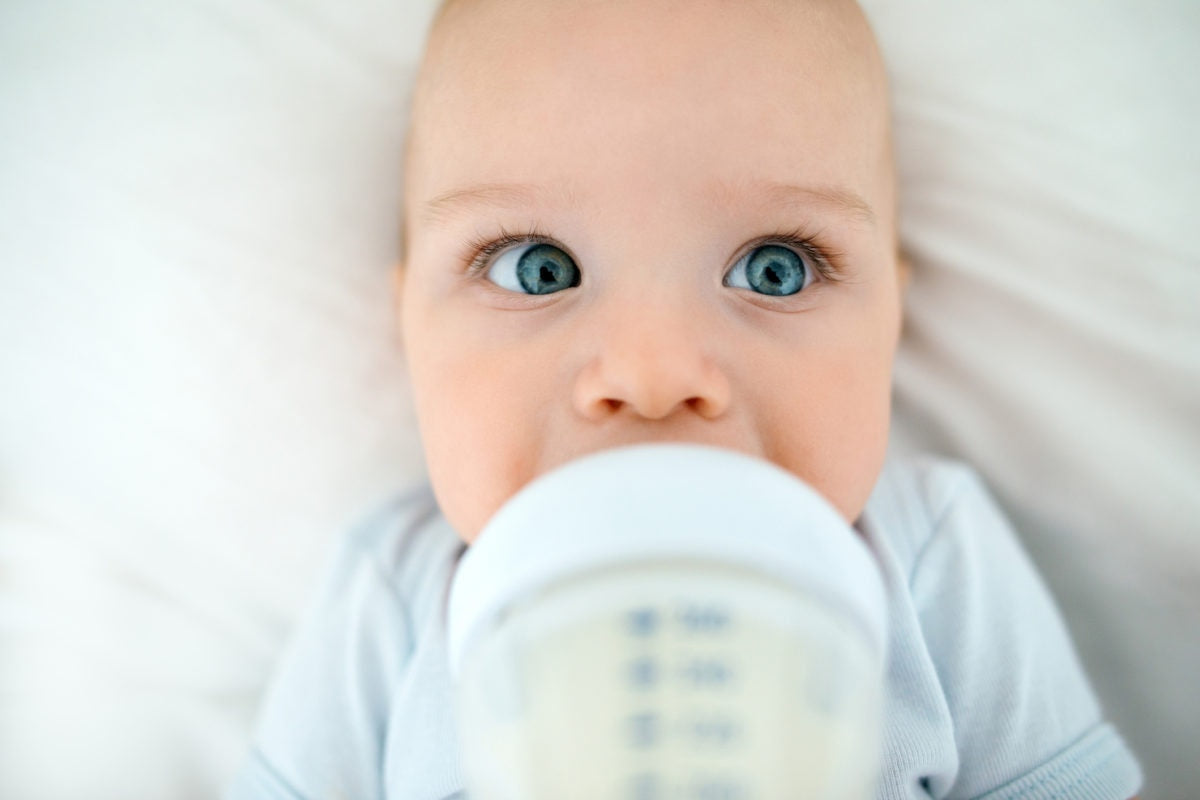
pixel 986 697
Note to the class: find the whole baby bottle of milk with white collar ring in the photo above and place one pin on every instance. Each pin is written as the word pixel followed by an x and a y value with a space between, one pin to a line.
pixel 669 623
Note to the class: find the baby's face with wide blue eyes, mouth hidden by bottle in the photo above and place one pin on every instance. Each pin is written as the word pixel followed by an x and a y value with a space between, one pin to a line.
pixel 650 221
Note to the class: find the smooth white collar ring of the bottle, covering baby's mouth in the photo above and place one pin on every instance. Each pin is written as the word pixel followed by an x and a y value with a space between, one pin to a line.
pixel 661 503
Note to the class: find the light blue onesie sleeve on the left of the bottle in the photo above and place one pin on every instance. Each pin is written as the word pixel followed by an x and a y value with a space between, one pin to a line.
pixel 322 725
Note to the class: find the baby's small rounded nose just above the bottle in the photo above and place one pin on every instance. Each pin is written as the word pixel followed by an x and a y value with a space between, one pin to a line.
pixel 652 363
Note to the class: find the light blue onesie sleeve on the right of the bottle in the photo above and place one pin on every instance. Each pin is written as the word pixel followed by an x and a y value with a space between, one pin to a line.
pixel 1027 723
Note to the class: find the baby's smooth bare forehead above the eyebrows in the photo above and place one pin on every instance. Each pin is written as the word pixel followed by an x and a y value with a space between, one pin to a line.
pixel 730 91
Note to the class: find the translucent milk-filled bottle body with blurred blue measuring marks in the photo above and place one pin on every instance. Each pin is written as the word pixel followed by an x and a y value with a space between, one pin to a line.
pixel 673 682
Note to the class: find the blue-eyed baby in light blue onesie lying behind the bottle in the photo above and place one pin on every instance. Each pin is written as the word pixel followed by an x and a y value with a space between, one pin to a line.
pixel 670 221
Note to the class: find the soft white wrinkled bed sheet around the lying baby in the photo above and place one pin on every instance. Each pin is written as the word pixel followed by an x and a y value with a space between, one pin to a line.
pixel 200 387
